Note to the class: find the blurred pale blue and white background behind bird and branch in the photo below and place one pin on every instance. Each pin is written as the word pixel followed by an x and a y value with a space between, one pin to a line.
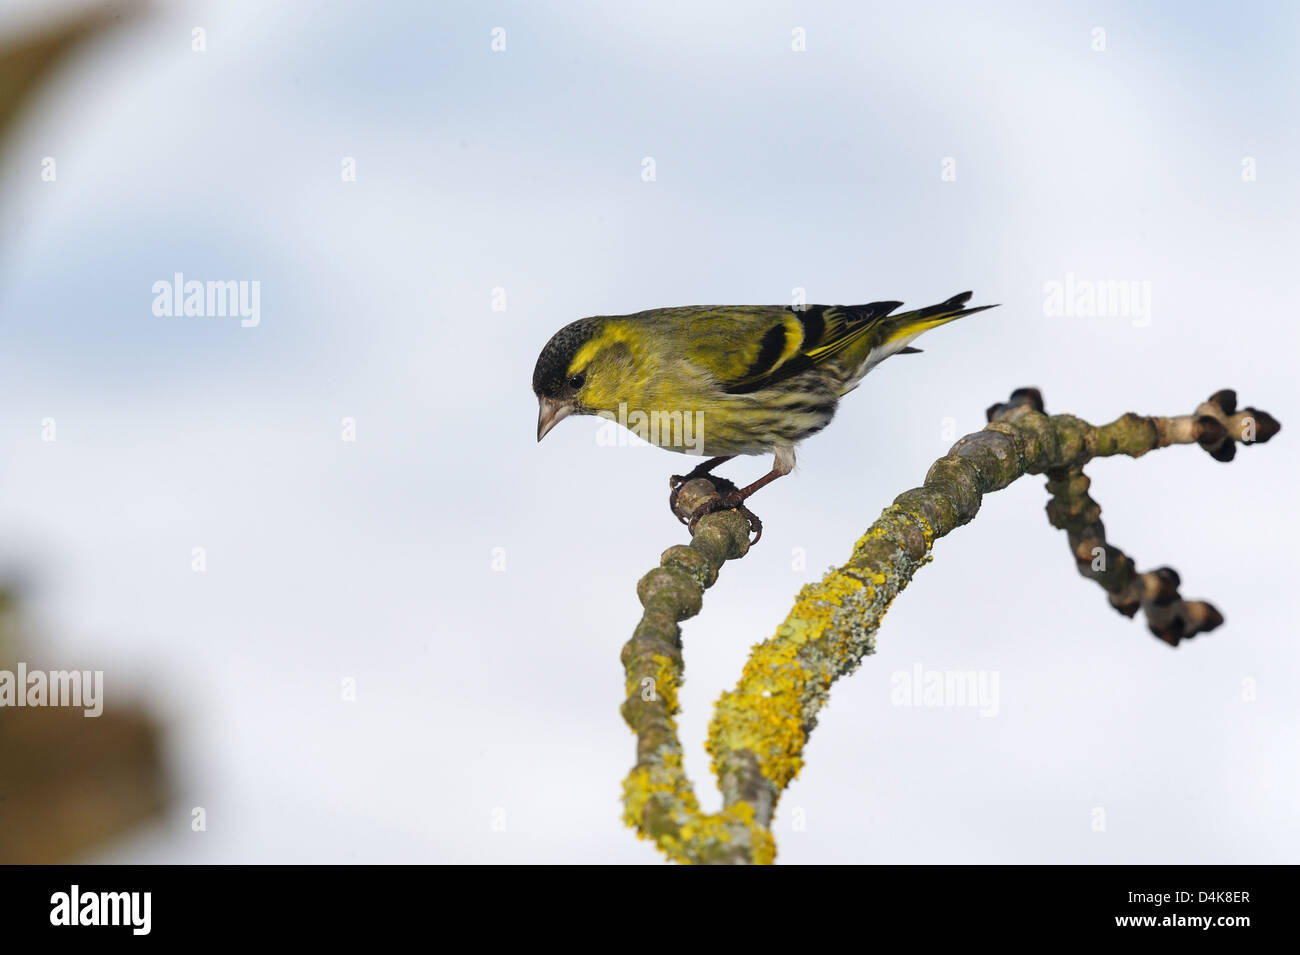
pixel 348 610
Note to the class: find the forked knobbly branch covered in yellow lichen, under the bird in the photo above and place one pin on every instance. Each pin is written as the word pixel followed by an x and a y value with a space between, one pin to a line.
pixel 760 730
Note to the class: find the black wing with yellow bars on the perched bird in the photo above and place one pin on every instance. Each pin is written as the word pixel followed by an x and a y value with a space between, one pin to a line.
pixel 781 342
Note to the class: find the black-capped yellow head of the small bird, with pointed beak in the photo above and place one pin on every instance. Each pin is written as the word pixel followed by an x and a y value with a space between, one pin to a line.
pixel 586 368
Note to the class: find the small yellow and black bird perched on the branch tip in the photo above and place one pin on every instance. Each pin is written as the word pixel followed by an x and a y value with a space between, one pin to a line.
pixel 725 380
